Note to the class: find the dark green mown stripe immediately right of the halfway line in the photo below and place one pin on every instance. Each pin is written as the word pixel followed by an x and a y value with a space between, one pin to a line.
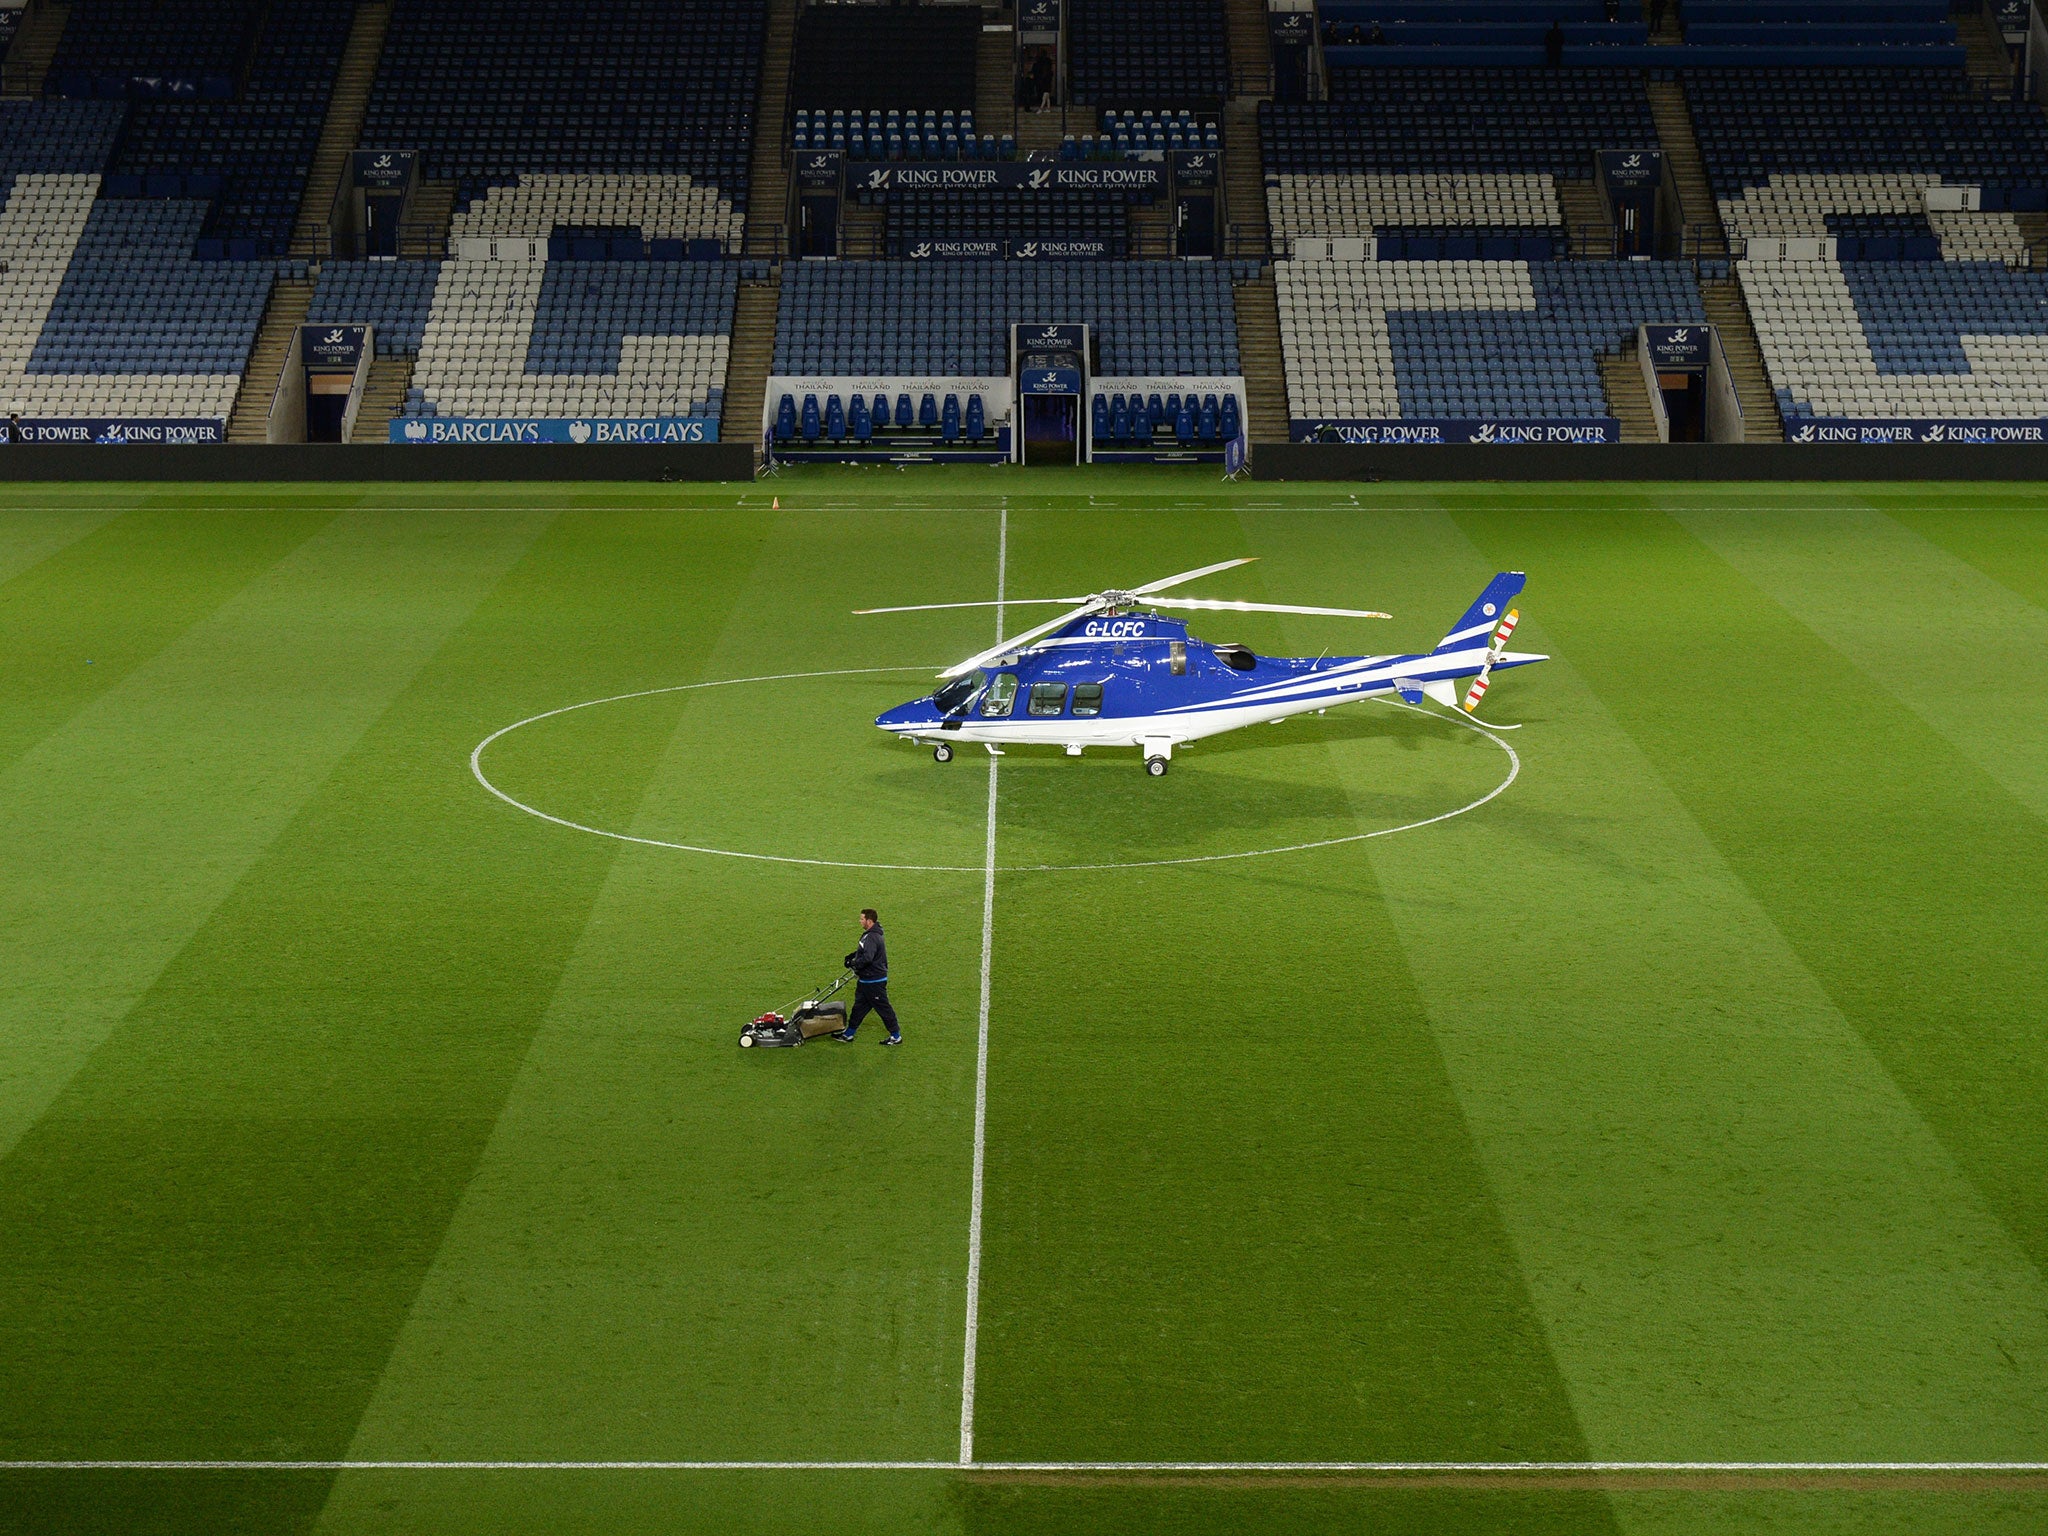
pixel 1234 1209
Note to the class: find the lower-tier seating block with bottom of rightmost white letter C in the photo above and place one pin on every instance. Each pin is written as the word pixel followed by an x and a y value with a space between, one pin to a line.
pixel 1902 339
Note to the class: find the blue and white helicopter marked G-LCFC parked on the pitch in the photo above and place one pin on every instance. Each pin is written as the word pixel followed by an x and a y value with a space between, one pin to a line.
pixel 1111 673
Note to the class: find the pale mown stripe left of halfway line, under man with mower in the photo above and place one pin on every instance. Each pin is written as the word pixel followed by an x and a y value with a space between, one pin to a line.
pixel 679 1248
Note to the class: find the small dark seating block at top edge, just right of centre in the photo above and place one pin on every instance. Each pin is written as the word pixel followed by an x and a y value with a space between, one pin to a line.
pixel 1150 52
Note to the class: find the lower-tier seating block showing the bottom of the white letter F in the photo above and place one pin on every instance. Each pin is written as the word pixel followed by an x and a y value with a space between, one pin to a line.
pixel 1383 341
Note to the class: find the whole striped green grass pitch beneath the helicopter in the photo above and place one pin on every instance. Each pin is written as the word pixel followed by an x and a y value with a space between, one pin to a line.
pixel 1684 1103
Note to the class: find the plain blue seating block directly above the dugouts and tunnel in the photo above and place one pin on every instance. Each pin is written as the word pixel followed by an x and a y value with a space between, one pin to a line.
pixel 953 318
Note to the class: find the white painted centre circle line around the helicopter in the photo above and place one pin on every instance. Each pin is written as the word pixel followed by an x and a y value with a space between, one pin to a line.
pixel 476 767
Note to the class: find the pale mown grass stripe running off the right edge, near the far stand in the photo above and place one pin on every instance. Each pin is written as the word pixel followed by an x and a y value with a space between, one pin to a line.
pixel 1945 640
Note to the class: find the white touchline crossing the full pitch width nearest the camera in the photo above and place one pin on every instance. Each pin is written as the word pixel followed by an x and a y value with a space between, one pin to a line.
pixel 1535 1469
